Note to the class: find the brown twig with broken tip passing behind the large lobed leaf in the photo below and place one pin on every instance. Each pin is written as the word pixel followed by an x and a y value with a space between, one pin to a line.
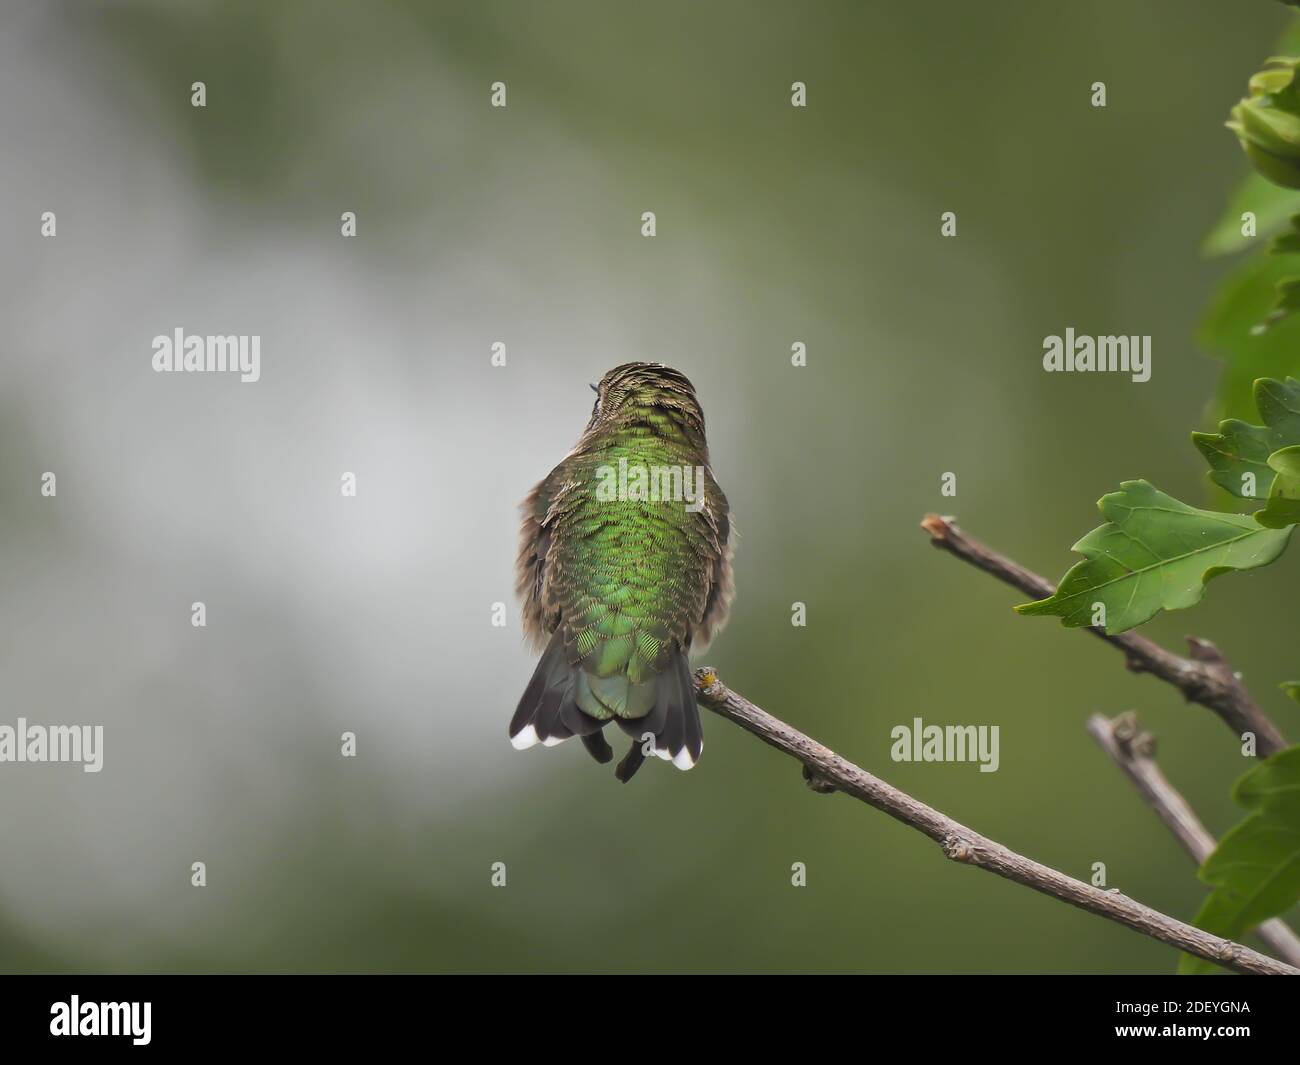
pixel 1204 678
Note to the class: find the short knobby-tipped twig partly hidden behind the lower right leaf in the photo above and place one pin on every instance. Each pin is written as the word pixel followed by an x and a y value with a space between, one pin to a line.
pixel 1134 751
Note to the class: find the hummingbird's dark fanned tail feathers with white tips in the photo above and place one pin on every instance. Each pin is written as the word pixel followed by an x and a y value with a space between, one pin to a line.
pixel 549 713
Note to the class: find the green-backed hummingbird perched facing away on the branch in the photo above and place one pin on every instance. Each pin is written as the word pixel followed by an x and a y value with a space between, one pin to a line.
pixel 625 568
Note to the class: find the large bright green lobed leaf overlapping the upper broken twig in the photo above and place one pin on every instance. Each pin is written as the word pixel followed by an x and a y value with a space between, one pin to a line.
pixel 1154 555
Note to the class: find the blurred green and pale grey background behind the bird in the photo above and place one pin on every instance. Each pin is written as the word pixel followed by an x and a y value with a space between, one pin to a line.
pixel 523 226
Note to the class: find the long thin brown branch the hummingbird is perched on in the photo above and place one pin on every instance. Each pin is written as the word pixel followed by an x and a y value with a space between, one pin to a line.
pixel 825 770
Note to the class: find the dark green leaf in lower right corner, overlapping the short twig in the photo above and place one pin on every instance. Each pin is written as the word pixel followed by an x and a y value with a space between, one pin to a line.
pixel 1255 871
